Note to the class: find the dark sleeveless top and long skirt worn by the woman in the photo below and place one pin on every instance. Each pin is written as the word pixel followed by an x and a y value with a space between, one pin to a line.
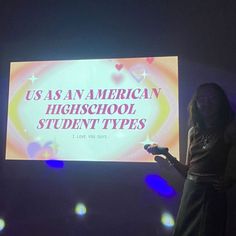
pixel 202 209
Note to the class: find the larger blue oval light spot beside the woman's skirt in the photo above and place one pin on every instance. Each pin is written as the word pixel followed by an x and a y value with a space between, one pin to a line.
pixel 159 185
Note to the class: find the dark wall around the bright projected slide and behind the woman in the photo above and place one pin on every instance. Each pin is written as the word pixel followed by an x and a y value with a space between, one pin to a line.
pixel 36 200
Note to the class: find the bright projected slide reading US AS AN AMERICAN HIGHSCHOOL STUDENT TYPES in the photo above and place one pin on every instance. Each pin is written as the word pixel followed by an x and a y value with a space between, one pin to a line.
pixel 92 110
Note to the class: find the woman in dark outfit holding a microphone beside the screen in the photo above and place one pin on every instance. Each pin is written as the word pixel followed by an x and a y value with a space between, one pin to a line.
pixel 202 210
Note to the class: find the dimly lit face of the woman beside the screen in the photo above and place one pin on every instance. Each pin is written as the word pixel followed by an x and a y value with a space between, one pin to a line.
pixel 208 102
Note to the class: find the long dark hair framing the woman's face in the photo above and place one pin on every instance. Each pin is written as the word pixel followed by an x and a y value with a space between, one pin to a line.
pixel 226 114
